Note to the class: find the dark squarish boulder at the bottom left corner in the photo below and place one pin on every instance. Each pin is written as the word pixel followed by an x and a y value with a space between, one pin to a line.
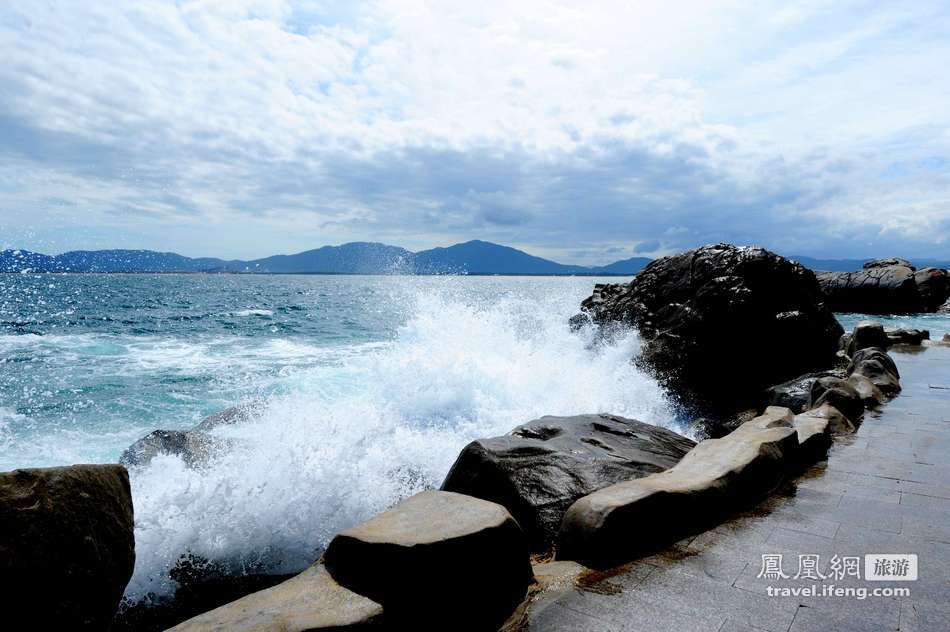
pixel 66 546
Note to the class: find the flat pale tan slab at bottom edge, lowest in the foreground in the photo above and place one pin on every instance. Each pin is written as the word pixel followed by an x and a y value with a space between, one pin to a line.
pixel 310 601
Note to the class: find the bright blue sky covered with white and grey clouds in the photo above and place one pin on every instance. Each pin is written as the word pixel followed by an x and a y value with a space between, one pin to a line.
pixel 582 131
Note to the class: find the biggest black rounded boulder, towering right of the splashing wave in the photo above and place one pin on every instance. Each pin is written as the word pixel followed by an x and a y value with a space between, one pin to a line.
pixel 706 315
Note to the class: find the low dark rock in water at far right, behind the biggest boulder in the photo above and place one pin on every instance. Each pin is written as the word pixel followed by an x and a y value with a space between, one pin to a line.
pixel 886 286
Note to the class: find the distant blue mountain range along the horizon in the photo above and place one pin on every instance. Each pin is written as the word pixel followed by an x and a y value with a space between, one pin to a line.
pixel 471 257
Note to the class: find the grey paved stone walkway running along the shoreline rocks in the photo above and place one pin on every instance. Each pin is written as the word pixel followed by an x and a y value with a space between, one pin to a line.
pixel 884 490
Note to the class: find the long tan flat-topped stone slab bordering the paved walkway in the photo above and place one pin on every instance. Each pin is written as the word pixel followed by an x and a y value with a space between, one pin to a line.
pixel 616 523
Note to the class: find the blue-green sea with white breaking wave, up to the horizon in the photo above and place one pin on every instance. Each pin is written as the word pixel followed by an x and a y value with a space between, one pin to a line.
pixel 367 389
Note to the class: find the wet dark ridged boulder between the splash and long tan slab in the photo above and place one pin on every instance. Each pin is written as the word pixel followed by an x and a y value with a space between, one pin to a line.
pixel 540 468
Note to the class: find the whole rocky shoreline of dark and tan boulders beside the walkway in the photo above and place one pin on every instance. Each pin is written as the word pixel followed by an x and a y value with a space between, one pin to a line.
pixel 744 340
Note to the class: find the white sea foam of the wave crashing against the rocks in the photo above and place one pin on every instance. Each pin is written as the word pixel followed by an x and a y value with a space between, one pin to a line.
pixel 357 435
